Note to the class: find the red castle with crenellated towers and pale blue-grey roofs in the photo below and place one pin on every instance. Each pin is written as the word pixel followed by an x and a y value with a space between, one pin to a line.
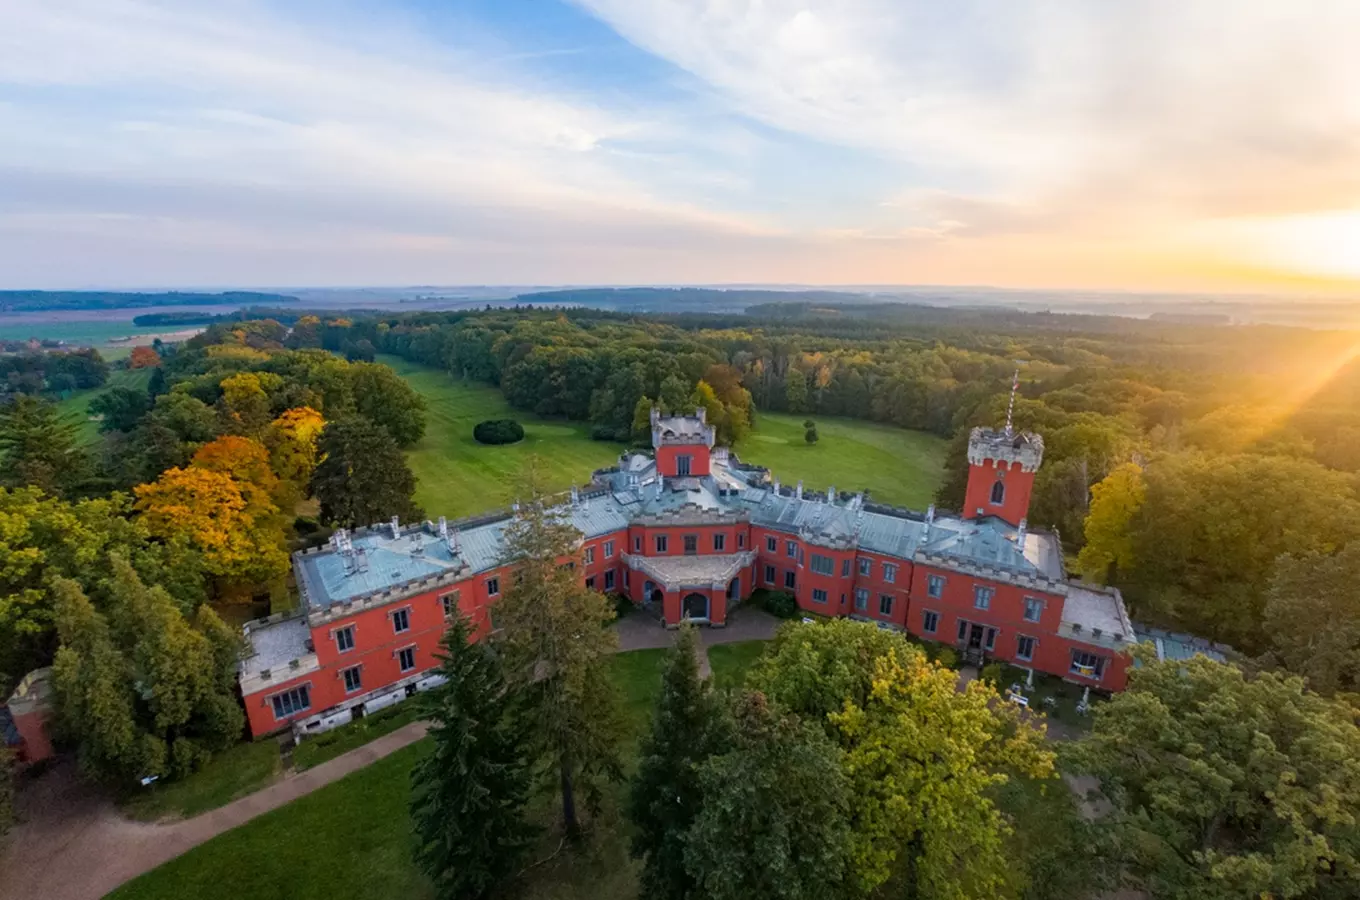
pixel 689 532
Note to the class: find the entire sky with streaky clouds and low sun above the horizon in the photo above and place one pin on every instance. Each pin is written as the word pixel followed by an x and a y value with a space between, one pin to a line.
pixel 1144 145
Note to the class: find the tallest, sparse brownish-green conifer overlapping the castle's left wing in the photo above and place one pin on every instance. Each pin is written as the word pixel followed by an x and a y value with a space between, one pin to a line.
pixel 558 648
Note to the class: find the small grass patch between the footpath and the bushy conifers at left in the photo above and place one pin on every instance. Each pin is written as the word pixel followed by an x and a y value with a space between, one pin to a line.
pixel 235 773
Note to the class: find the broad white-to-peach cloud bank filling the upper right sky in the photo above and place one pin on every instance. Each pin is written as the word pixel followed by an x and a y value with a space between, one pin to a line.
pixel 1149 108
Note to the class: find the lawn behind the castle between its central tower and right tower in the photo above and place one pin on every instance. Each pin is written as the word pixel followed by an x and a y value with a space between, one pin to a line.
pixel 896 466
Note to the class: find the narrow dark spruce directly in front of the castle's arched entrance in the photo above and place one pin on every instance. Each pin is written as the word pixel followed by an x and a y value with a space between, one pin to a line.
pixel 690 725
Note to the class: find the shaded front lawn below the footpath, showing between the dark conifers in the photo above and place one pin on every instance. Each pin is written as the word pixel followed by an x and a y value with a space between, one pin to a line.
pixel 353 840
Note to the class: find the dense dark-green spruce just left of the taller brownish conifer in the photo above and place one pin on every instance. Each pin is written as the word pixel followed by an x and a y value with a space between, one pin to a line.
pixel 469 795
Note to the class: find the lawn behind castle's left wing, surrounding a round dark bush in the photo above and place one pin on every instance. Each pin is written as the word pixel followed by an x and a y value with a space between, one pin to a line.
pixel 458 477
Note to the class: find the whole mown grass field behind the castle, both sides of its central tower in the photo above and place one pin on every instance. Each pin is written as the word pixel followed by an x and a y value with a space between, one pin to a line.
pixel 458 477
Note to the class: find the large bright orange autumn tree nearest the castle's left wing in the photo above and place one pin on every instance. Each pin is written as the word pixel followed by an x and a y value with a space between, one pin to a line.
pixel 241 542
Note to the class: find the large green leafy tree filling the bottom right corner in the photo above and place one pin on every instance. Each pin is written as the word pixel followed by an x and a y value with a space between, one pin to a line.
pixel 1227 785
